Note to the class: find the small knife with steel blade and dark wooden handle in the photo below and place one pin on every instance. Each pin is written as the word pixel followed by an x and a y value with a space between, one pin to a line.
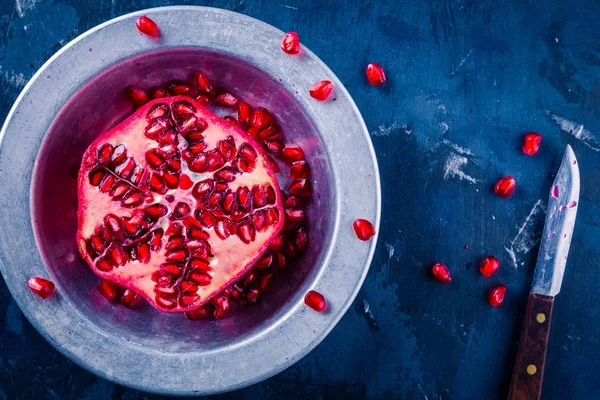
pixel 528 372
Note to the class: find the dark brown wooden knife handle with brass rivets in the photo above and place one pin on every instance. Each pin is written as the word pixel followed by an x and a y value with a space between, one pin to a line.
pixel 526 383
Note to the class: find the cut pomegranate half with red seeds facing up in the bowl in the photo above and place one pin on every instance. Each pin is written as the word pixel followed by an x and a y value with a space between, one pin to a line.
pixel 166 204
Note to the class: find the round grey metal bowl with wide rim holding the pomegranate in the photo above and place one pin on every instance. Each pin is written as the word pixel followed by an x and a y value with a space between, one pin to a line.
pixel 75 96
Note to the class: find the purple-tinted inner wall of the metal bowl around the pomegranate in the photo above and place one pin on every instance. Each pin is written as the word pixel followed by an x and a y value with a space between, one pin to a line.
pixel 98 106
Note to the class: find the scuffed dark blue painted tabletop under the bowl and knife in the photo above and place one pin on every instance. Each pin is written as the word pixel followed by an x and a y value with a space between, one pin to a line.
pixel 466 80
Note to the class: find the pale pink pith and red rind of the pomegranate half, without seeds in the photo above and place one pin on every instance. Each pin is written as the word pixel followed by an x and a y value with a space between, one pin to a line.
pixel 234 257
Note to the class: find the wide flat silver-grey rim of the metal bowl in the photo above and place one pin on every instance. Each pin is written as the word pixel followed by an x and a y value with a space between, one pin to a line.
pixel 281 334
